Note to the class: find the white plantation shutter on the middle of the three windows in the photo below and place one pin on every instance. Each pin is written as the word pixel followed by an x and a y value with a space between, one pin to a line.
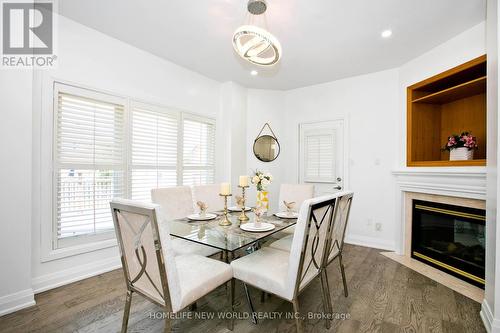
pixel 154 150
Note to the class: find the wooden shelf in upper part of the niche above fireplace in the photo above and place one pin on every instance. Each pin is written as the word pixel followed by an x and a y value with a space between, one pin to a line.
pixel 467 89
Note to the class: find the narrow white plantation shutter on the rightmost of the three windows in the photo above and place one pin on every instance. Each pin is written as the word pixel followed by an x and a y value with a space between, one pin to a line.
pixel 198 160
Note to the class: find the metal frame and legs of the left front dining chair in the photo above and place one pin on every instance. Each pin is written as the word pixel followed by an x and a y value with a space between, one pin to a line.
pixel 166 304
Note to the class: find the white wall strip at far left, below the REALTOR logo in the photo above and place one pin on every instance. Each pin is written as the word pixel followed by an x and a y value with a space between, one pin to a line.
pixel 15 189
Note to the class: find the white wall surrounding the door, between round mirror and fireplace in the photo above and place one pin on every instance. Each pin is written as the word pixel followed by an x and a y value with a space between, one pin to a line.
pixel 369 104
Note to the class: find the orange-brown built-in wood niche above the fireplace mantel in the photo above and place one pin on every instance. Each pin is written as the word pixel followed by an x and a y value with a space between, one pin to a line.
pixel 449 103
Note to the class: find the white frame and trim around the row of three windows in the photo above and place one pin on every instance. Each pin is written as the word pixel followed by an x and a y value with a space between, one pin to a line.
pixel 44 149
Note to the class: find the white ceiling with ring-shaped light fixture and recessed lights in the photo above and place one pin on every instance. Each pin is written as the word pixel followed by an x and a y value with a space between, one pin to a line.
pixel 322 40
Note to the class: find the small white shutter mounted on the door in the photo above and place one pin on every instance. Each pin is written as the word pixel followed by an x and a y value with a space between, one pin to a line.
pixel 319 155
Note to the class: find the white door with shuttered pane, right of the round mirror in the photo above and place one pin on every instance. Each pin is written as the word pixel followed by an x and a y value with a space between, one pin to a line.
pixel 321 154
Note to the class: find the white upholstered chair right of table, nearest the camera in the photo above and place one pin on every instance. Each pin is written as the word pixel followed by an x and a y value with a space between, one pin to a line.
pixel 286 273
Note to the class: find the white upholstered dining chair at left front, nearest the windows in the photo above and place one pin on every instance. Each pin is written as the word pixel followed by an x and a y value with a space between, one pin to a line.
pixel 152 270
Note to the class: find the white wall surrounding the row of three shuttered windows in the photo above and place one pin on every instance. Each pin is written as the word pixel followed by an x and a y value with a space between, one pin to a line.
pixel 92 59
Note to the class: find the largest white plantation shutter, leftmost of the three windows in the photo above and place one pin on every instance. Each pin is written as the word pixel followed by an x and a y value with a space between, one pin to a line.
pixel 89 160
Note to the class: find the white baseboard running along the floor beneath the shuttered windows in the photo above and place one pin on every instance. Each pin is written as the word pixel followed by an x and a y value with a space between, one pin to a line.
pixel 73 274
